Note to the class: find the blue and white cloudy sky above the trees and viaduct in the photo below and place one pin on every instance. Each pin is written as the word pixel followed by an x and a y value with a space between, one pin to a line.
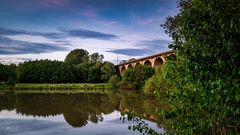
pixel 50 29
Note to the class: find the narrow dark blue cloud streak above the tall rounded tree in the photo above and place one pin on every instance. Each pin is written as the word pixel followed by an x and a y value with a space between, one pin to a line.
pixel 89 34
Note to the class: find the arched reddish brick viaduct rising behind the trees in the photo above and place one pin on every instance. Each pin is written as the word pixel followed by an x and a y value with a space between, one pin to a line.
pixel 152 60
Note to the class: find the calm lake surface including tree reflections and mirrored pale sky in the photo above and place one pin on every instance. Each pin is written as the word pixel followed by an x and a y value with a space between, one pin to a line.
pixel 72 114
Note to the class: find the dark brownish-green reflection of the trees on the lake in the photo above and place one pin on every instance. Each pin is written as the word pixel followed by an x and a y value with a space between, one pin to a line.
pixel 78 109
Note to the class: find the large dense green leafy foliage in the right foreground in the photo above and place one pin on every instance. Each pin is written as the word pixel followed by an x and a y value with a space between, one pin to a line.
pixel 207 68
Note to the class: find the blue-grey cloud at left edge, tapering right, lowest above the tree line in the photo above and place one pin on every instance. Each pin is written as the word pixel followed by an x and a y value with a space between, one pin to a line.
pixel 9 46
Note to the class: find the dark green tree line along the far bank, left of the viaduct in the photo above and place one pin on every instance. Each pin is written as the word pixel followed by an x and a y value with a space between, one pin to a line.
pixel 78 67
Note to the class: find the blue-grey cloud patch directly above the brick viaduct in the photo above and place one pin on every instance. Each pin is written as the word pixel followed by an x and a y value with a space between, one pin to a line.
pixel 147 47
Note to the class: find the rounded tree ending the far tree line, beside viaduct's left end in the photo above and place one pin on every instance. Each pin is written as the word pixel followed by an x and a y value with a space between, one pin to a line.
pixel 107 70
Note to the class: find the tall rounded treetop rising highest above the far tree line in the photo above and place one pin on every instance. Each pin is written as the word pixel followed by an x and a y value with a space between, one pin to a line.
pixel 77 56
